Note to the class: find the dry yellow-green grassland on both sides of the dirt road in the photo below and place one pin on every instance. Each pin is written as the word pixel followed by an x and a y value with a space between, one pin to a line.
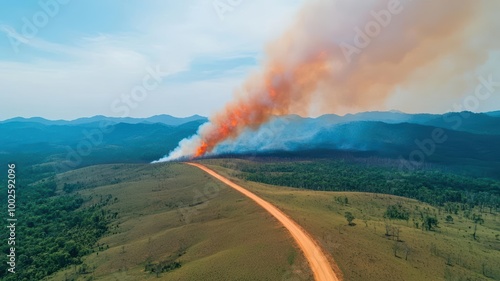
pixel 169 213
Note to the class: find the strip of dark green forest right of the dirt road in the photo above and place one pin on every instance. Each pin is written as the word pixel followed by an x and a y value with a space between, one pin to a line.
pixel 433 186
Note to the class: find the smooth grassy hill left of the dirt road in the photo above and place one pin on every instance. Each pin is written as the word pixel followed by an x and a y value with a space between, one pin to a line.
pixel 173 213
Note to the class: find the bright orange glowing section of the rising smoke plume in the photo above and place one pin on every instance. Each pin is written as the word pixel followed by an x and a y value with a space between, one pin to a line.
pixel 270 97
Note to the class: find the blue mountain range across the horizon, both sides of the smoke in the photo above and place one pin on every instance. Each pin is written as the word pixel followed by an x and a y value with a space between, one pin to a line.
pixel 471 138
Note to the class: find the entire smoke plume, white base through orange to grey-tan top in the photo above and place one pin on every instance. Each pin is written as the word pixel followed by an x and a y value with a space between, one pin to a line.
pixel 346 56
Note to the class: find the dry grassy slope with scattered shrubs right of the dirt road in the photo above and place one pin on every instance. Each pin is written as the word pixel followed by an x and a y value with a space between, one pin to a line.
pixel 365 252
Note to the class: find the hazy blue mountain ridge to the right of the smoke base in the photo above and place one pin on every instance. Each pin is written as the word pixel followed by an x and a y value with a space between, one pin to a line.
pixel 471 139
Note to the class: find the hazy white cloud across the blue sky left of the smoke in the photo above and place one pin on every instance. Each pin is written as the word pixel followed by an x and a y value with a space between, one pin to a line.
pixel 82 77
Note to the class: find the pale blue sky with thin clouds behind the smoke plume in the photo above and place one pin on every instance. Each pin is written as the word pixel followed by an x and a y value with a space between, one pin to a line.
pixel 65 59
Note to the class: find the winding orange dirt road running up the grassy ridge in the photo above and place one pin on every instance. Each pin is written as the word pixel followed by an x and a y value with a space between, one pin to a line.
pixel 318 261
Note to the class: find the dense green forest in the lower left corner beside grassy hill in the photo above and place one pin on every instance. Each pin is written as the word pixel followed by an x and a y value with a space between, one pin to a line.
pixel 53 230
